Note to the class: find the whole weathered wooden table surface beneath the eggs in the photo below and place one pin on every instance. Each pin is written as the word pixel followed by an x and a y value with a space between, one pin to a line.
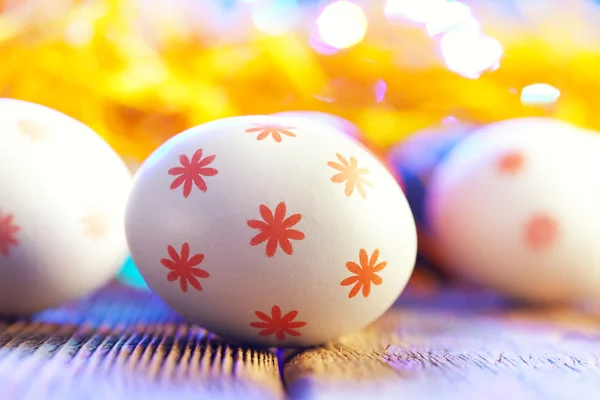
pixel 451 344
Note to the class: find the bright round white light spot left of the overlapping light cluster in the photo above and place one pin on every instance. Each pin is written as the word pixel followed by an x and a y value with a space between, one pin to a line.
pixel 342 24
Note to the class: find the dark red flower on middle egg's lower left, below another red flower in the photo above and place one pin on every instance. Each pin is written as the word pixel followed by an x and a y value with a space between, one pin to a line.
pixel 182 267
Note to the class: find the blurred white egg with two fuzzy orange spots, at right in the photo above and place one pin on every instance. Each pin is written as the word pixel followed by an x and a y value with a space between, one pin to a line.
pixel 516 206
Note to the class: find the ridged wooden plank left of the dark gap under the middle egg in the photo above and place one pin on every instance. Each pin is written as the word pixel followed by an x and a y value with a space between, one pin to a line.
pixel 125 344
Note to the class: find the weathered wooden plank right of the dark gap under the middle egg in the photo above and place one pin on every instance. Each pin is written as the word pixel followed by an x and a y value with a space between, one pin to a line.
pixel 457 345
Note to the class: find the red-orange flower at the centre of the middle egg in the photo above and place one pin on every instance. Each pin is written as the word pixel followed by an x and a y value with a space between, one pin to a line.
pixel 275 229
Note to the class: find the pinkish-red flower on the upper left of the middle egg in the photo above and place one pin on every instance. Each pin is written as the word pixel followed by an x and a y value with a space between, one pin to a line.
pixel 192 172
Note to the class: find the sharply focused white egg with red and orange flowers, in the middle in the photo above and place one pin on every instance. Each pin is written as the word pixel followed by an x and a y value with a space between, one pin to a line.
pixel 271 231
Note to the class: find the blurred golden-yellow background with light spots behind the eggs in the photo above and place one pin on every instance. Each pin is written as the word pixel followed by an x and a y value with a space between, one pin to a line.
pixel 141 71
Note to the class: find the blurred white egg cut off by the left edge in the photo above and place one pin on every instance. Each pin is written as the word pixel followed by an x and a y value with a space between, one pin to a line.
pixel 62 198
